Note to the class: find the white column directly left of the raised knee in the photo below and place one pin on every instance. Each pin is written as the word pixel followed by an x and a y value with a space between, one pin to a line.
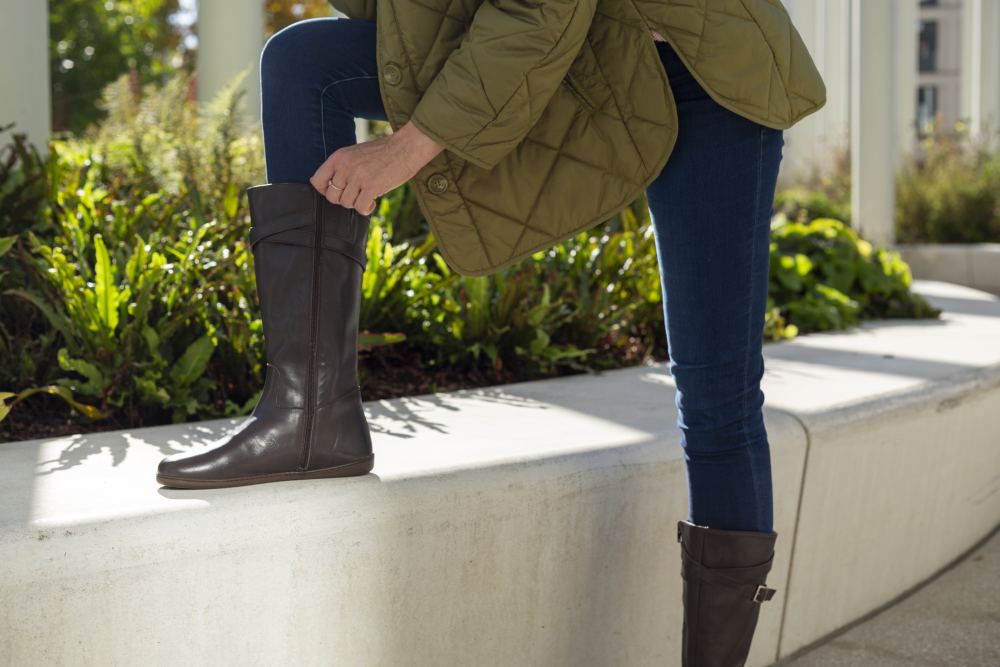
pixel 230 38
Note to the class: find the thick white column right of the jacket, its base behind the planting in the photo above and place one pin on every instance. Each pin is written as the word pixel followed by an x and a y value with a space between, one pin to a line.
pixel 873 137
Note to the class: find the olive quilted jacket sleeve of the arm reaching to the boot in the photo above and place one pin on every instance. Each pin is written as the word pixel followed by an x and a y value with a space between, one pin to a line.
pixel 495 84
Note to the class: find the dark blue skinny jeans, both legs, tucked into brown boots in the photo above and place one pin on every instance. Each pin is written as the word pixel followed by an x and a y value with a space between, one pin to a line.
pixel 710 208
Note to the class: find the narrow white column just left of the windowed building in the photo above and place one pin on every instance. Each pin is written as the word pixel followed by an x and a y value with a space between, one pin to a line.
pixel 906 26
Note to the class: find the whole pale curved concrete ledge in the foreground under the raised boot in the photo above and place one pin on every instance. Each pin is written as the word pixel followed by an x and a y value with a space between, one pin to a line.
pixel 531 523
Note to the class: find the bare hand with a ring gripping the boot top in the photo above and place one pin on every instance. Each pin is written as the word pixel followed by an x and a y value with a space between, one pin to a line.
pixel 367 170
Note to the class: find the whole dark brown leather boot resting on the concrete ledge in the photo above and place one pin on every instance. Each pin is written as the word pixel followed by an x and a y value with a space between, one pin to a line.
pixel 309 256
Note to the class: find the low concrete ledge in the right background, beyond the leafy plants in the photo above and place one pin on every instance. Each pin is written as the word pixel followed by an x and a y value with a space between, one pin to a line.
pixel 974 265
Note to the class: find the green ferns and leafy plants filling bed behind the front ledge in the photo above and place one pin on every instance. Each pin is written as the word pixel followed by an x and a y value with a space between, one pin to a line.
pixel 135 298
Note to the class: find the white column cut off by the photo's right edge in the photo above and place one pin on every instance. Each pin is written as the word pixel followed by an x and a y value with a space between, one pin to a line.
pixel 981 65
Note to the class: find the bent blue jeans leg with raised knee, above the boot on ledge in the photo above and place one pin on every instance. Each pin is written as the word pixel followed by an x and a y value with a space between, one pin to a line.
pixel 316 76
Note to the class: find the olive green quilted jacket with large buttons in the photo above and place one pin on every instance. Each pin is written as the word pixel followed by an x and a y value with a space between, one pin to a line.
pixel 556 114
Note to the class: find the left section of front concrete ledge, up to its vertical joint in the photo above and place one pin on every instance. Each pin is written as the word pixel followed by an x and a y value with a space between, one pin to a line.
pixel 526 524
